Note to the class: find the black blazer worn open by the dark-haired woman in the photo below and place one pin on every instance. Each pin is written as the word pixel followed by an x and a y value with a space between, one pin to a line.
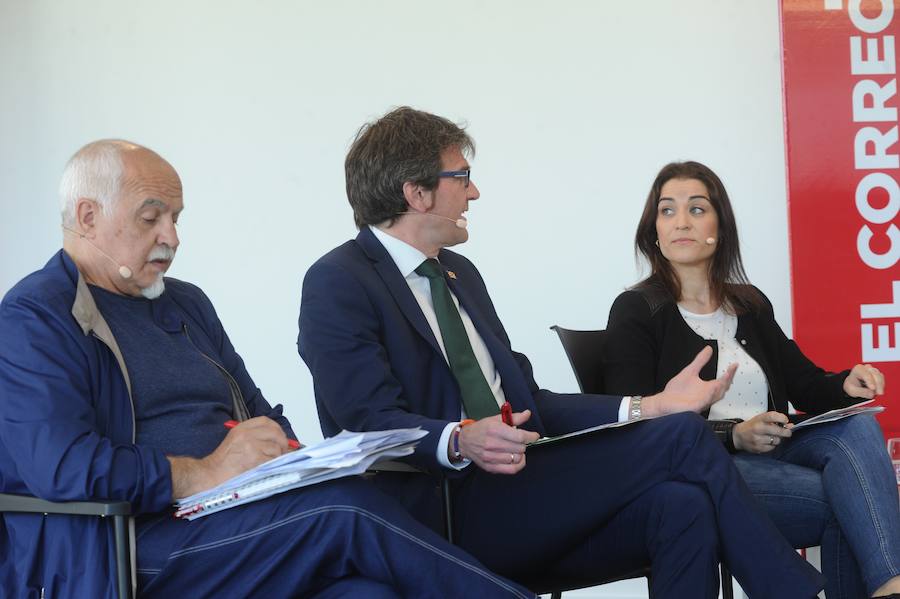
pixel 648 342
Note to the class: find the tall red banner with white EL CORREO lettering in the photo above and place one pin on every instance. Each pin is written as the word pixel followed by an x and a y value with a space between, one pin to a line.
pixel 843 164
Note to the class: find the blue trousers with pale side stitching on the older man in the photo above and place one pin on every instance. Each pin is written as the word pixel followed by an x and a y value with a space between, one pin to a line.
pixel 342 538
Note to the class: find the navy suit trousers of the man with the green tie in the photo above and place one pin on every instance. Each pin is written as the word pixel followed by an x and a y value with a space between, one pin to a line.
pixel 662 492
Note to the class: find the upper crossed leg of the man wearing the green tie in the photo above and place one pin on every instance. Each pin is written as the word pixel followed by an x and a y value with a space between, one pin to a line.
pixel 570 489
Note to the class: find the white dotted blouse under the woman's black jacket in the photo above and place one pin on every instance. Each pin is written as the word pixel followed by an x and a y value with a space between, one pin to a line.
pixel 749 393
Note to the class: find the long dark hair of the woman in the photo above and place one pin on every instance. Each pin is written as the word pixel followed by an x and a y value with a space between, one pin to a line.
pixel 728 282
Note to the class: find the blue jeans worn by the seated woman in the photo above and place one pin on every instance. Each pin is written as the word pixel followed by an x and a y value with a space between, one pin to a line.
pixel 833 485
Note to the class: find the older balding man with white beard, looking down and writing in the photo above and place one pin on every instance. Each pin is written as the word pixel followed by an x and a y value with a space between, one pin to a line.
pixel 116 384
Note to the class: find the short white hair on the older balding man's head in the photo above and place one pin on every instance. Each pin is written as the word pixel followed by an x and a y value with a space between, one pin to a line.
pixel 93 172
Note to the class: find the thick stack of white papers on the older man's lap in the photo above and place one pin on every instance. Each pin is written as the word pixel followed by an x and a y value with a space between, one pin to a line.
pixel 345 454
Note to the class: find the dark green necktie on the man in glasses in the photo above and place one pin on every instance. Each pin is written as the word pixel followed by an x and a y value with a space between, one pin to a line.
pixel 478 399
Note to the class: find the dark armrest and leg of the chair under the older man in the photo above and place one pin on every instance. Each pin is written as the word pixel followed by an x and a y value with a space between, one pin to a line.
pixel 119 511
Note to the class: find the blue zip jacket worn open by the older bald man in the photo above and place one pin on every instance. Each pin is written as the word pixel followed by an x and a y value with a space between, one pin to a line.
pixel 67 425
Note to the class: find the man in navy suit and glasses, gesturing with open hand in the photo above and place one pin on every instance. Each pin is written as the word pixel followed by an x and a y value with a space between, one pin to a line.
pixel 398 331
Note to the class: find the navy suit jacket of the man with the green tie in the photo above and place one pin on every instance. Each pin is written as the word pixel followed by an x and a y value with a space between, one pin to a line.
pixel 376 364
